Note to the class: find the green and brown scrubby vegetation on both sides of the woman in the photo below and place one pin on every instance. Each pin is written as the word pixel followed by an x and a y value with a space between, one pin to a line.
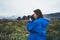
pixel 16 30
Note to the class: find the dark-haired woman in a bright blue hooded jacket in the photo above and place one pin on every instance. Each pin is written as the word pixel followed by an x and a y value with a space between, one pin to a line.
pixel 37 28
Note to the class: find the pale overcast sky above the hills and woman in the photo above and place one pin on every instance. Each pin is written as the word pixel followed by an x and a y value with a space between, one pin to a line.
pixel 26 7
